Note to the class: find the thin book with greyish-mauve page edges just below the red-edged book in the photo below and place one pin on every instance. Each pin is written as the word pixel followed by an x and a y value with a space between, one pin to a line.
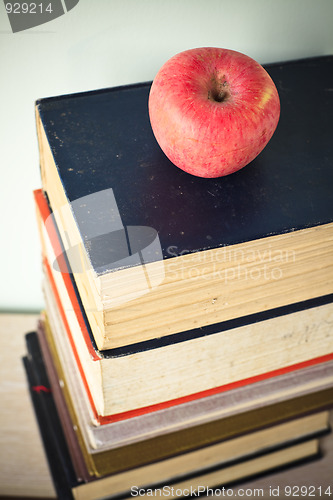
pixel 67 385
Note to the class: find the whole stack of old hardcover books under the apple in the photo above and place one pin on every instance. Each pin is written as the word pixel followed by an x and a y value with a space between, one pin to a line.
pixel 186 341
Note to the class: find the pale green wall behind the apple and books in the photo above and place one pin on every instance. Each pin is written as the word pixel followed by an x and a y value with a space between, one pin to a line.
pixel 102 43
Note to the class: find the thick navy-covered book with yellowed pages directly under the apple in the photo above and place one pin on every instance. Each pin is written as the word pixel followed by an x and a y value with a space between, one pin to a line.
pixel 155 251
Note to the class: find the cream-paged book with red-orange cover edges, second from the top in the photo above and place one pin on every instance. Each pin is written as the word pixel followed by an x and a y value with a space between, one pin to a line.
pixel 238 353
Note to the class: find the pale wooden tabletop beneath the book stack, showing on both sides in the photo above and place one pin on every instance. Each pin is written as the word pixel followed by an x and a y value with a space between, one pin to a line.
pixel 23 468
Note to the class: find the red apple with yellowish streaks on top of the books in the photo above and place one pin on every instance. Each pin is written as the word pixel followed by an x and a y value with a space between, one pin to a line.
pixel 212 110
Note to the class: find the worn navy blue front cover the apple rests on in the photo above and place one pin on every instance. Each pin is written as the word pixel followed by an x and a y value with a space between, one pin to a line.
pixel 103 139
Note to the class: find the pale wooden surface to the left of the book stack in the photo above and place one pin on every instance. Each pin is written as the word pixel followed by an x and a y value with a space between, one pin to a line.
pixel 23 467
